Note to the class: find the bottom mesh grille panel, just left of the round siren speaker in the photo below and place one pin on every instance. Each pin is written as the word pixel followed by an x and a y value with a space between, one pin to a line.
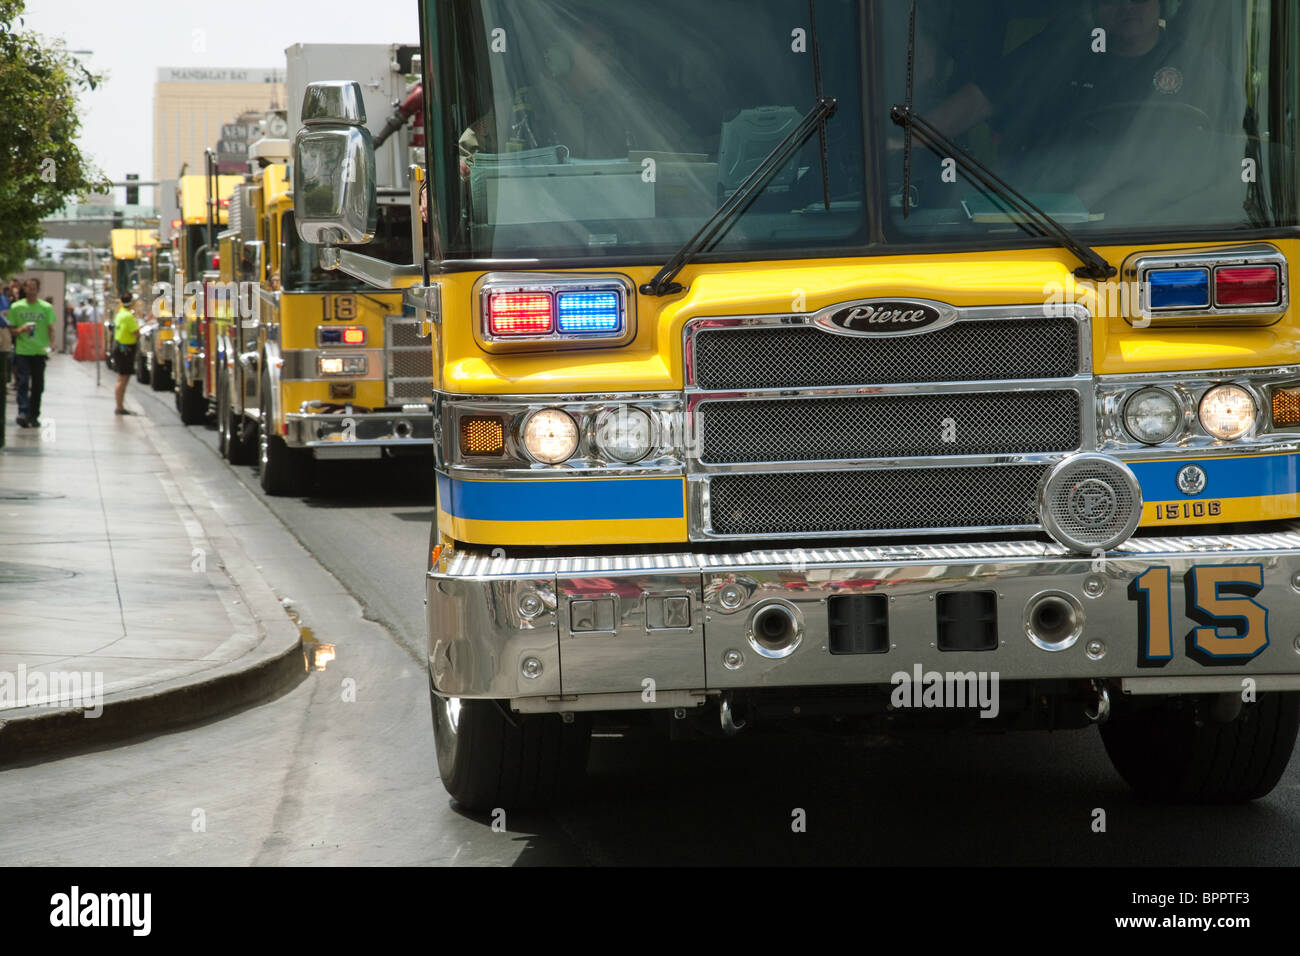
pixel 894 500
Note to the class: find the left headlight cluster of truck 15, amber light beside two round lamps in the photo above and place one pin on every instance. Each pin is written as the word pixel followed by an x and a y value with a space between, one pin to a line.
pixel 617 435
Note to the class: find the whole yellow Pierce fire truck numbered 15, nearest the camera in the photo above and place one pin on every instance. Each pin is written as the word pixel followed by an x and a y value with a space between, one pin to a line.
pixel 847 364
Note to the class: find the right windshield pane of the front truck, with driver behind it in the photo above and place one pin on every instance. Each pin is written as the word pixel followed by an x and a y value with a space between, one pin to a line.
pixel 1112 116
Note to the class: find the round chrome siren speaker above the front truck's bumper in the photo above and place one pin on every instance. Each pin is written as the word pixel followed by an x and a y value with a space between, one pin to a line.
pixel 1090 503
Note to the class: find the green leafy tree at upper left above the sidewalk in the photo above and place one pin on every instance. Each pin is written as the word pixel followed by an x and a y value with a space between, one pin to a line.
pixel 41 165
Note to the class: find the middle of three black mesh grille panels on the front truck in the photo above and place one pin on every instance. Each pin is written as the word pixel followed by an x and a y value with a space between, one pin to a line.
pixel 951 423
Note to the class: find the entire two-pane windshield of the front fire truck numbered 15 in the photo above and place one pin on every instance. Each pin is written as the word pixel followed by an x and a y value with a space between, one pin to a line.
pixel 592 128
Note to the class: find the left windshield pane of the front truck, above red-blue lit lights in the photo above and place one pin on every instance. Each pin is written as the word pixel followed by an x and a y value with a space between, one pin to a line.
pixel 590 128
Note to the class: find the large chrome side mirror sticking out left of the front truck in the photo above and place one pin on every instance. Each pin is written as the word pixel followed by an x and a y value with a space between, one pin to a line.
pixel 335 196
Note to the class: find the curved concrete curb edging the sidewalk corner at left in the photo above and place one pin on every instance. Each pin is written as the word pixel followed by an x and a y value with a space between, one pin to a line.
pixel 272 668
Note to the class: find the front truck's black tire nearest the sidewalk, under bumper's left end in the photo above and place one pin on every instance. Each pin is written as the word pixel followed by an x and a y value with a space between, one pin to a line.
pixel 491 759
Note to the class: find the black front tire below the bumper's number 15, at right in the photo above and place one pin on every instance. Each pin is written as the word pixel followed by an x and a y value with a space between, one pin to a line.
pixel 1176 751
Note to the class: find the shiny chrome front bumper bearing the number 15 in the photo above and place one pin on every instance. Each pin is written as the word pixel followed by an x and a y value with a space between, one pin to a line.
pixel 597 633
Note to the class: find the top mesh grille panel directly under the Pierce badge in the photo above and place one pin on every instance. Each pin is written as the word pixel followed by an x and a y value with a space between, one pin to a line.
pixel 803 356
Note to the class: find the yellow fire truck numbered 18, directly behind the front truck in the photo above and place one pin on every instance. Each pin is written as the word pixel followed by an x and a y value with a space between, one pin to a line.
pixel 324 367
